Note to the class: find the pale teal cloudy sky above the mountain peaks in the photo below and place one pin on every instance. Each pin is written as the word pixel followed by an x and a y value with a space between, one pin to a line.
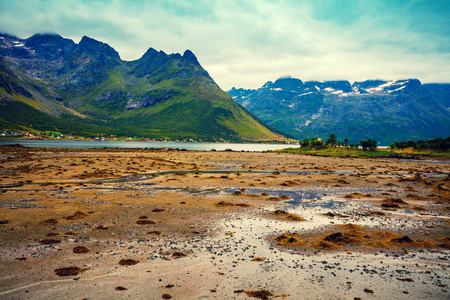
pixel 247 43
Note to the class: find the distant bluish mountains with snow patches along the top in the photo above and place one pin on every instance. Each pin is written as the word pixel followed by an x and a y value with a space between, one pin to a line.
pixel 386 111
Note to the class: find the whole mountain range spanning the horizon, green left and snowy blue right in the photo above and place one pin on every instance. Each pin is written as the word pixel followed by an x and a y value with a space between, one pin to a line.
pixel 48 82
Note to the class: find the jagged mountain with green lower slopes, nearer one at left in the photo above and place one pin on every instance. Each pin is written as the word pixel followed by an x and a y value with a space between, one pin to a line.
pixel 48 82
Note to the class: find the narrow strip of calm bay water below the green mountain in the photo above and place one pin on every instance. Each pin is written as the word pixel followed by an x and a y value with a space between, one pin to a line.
pixel 156 145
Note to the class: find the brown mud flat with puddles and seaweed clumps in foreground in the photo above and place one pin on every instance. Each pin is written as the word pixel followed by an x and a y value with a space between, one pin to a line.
pixel 154 224
